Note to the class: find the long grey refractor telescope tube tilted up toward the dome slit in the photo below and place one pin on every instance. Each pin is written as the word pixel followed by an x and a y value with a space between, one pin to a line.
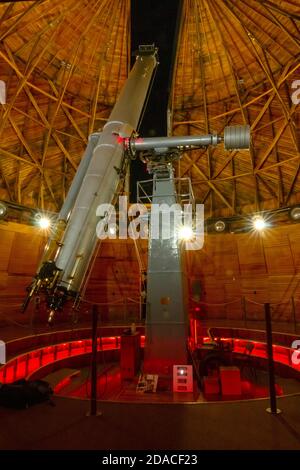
pixel 73 240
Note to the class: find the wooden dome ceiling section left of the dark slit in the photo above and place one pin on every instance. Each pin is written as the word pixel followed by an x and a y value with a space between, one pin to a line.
pixel 64 64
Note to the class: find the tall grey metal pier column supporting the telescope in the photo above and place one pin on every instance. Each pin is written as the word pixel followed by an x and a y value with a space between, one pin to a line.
pixel 166 320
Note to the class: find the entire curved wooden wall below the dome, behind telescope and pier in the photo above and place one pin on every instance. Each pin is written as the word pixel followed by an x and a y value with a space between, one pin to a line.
pixel 256 267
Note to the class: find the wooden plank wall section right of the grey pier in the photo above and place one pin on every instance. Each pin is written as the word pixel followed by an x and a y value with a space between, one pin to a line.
pixel 252 267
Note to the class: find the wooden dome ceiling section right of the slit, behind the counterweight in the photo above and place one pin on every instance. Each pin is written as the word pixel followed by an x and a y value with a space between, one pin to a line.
pixel 236 62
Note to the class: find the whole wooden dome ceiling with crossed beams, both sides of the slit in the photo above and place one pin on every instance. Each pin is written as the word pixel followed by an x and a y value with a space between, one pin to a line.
pixel 64 63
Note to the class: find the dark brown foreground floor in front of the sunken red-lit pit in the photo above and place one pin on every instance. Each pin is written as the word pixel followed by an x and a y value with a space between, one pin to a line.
pixel 125 426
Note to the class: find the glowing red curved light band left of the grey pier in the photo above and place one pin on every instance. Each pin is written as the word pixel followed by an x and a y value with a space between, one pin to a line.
pixel 24 365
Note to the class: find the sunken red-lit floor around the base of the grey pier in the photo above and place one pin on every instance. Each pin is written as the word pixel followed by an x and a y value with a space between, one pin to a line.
pixel 76 383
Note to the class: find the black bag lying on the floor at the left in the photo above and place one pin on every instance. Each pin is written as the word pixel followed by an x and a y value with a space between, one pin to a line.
pixel 23 393
